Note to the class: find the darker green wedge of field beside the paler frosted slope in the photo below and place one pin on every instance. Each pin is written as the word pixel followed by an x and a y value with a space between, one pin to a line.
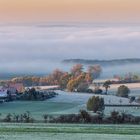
pixel 38 108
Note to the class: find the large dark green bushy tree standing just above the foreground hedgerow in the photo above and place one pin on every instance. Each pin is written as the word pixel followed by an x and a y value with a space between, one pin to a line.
pixel 95 104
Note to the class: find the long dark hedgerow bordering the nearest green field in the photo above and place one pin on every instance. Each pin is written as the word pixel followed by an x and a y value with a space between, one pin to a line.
pixel 83 116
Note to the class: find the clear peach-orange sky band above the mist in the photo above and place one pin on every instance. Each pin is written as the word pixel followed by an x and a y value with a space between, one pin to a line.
pixel 69 10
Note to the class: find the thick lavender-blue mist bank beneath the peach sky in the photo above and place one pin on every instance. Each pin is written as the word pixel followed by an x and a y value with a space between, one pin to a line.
pixel 40 48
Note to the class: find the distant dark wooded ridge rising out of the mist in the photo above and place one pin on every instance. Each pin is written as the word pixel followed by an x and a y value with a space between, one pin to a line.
pixel 103 62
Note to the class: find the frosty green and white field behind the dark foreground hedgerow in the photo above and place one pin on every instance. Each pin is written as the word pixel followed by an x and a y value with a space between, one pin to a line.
pixel 64 103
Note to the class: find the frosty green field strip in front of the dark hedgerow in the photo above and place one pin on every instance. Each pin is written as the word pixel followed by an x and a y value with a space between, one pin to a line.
pixel 68 132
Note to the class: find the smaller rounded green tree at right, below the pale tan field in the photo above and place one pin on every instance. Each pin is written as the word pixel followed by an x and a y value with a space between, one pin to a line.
pixel 123 91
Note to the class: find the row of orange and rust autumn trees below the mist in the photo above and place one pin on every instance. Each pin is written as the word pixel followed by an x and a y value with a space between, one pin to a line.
pixel 76 79
